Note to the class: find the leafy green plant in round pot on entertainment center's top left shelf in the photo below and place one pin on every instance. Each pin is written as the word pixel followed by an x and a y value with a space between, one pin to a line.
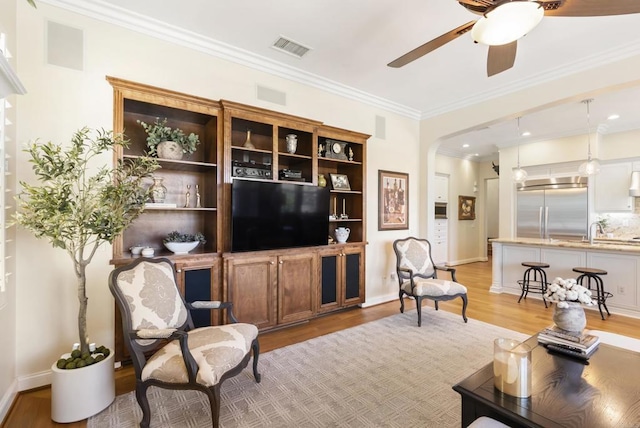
pixel 166 142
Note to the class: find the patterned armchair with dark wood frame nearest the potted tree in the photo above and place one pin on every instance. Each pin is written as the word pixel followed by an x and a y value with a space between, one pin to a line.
pixel 157 322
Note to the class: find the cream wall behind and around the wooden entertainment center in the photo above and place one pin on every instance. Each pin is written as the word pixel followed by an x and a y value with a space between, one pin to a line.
pixel 61 100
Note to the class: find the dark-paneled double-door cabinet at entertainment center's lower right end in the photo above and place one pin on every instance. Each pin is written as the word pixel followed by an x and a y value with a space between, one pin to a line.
pixel 341 277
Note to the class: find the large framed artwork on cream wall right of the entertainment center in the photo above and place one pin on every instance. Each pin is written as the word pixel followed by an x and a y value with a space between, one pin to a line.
pixel 393 200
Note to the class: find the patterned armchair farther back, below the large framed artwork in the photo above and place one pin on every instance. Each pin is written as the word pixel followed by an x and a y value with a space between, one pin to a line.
pixel 418 276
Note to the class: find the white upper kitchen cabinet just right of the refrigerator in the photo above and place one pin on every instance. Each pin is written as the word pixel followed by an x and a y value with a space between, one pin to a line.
pixel 612 188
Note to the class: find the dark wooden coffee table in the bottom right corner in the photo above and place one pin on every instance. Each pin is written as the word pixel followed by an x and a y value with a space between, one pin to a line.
pixel 566 392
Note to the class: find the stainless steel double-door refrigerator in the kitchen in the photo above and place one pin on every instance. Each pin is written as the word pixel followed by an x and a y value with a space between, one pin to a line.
pixel 553 208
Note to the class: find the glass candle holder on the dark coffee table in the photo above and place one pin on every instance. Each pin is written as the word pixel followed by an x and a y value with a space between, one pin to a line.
pixel 512 367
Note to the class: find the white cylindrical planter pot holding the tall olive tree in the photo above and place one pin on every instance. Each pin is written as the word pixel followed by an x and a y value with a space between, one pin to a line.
pixel 80 393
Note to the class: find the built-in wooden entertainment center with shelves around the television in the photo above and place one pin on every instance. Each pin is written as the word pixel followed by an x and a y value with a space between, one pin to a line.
pixel 269 288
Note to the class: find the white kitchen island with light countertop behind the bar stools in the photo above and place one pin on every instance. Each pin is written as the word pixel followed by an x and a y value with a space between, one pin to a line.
pixel 619 257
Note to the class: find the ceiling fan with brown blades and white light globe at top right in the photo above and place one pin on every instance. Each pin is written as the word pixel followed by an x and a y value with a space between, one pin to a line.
pixel 503 22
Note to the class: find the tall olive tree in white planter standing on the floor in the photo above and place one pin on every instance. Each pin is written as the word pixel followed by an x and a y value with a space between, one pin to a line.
pixel 79 207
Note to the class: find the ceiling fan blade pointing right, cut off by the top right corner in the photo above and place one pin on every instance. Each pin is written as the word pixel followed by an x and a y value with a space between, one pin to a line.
pixel 590 7
